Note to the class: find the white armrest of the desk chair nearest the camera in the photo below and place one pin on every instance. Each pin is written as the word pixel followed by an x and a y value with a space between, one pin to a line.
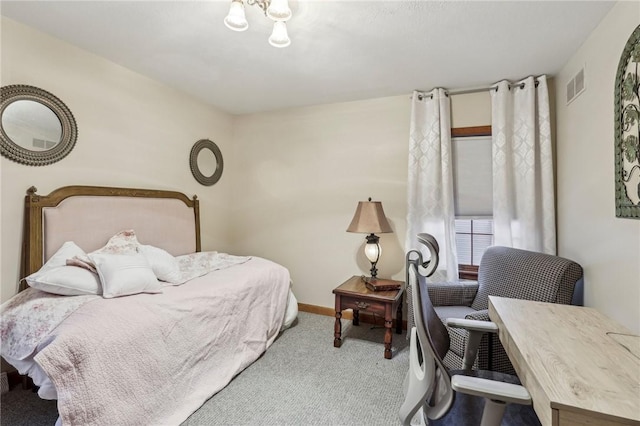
pixel 491 389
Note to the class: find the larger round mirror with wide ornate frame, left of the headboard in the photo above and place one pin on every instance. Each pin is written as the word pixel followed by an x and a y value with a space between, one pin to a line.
pixel 36 128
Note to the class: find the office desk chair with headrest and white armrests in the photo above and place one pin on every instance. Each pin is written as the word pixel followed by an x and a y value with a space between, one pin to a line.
pixel 454 397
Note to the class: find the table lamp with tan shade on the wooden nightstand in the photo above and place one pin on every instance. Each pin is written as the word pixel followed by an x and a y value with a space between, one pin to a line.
pixel 370 219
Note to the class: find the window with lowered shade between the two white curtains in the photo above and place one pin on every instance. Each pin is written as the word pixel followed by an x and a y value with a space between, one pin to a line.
pixel 473 196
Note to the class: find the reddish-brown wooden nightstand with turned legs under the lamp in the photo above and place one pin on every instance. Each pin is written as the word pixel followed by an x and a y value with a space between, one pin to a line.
pixel 353 294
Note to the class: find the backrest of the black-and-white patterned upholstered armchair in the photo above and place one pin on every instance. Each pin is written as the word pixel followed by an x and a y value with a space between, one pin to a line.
pixel 523 274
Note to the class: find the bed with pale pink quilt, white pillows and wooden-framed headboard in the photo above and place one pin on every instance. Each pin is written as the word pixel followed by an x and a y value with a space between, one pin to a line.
pixel 113 351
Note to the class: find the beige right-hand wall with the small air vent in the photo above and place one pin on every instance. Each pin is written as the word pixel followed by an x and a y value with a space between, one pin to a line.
pixel 588 231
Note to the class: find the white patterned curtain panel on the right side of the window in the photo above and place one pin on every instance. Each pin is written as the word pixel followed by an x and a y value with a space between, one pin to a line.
pixel 523 190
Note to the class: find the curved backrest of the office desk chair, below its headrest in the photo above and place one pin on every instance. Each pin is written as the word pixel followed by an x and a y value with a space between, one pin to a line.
pixel 433 341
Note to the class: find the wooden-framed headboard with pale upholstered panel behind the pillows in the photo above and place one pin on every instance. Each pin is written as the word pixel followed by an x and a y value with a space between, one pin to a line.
pixel 90 215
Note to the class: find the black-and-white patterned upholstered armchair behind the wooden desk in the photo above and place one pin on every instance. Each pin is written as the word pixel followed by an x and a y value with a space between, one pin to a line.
pixel 505 272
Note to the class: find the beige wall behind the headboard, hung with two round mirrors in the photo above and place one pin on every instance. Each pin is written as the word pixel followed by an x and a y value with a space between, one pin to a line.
pixel 132 132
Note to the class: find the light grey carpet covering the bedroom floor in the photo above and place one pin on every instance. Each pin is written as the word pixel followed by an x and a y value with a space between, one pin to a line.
pixel 301 380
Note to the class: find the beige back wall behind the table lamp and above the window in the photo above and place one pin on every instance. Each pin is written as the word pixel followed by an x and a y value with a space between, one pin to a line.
pixel 301 173
